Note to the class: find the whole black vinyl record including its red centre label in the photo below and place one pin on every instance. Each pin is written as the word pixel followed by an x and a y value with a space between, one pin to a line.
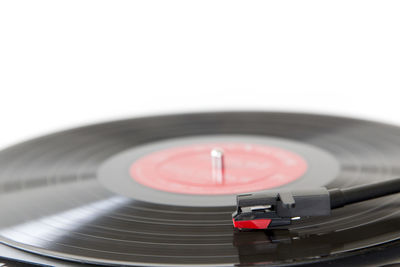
pixel 76 195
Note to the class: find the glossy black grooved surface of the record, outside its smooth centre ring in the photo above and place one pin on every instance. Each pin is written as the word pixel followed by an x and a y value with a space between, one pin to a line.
pixel 51 202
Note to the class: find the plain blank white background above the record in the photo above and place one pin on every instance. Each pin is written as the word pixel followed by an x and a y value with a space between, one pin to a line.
pixel 68 63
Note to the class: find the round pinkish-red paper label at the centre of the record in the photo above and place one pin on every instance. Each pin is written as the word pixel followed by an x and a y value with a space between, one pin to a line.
pixel 246 168
